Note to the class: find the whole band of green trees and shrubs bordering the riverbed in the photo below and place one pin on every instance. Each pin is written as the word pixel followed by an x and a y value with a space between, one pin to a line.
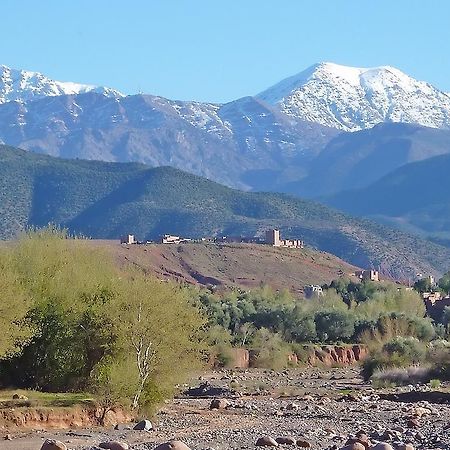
pixel 72 320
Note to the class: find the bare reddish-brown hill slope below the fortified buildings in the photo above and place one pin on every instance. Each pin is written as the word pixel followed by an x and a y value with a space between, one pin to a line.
pixel 232 265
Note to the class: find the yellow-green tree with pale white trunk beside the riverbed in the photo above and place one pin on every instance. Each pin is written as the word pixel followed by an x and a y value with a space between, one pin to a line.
pixel 160 331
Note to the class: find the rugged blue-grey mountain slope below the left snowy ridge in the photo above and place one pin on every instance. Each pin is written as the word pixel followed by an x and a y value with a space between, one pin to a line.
pixel 259 147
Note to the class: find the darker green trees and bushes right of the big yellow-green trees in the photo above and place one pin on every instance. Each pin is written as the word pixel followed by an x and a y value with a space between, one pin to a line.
pixel 275 324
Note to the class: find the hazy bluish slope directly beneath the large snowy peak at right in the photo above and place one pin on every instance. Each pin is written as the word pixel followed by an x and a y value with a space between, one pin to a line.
pixel 355 160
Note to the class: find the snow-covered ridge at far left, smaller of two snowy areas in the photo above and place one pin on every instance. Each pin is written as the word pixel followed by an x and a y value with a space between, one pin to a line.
pixel 23 86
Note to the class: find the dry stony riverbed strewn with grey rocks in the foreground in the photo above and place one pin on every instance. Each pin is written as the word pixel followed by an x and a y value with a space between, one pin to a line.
pixel 320 408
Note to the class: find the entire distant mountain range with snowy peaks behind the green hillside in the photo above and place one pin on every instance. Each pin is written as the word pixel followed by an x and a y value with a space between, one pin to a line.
pixel 318 134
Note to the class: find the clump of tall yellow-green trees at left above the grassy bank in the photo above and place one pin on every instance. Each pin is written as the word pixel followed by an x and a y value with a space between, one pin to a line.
pixel 75 323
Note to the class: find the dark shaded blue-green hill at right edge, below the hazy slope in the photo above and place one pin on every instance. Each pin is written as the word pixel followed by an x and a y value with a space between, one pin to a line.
pixel 414 197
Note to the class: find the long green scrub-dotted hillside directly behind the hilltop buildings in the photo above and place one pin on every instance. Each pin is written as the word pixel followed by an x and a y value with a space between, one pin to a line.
pixel 106 200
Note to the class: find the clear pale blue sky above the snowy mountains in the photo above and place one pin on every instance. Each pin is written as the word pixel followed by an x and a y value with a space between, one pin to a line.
pixel 213 50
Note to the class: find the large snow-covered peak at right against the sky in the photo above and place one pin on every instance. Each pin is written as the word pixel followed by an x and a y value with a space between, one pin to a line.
pixel 351 99
